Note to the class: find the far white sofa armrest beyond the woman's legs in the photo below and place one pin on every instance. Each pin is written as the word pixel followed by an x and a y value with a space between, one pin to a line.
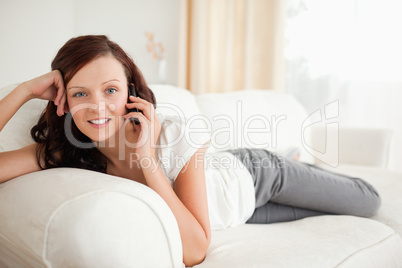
pixel 355 146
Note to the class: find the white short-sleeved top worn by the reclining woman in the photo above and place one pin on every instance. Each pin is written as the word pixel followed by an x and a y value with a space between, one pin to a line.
pixel 230 187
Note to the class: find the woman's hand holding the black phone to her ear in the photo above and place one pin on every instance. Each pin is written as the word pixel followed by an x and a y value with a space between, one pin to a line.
pixel 148 129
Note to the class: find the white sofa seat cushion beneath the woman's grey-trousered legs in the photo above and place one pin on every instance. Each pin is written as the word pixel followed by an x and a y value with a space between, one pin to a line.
pixel 324 241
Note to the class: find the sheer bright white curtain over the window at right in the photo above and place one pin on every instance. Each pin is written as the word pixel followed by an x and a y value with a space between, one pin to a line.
pixel 351 51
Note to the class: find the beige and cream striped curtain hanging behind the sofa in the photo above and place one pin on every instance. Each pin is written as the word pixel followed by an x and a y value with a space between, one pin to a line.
pixel 232 45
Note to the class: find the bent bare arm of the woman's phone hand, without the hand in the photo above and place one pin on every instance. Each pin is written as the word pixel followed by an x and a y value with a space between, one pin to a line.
pixel 188 202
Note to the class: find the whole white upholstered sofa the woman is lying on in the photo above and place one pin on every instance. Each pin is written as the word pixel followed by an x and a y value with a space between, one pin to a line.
pixel 76 218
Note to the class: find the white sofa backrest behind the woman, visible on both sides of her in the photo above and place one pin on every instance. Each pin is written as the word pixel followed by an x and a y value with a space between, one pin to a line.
pixel 246 118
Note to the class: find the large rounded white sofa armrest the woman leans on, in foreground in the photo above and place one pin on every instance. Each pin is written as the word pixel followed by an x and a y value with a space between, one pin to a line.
pixel 68 217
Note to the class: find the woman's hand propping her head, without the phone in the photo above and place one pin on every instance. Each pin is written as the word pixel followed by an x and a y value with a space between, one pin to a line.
pixel 50 87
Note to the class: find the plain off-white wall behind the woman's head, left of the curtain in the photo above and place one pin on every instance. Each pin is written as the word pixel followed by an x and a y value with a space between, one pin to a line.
pixel 31 32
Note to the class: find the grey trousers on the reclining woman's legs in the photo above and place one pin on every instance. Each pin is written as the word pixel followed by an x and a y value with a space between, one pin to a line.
pixel 287 190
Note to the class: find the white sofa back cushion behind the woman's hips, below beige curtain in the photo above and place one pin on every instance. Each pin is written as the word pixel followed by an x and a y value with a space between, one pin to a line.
pixel 256 118
